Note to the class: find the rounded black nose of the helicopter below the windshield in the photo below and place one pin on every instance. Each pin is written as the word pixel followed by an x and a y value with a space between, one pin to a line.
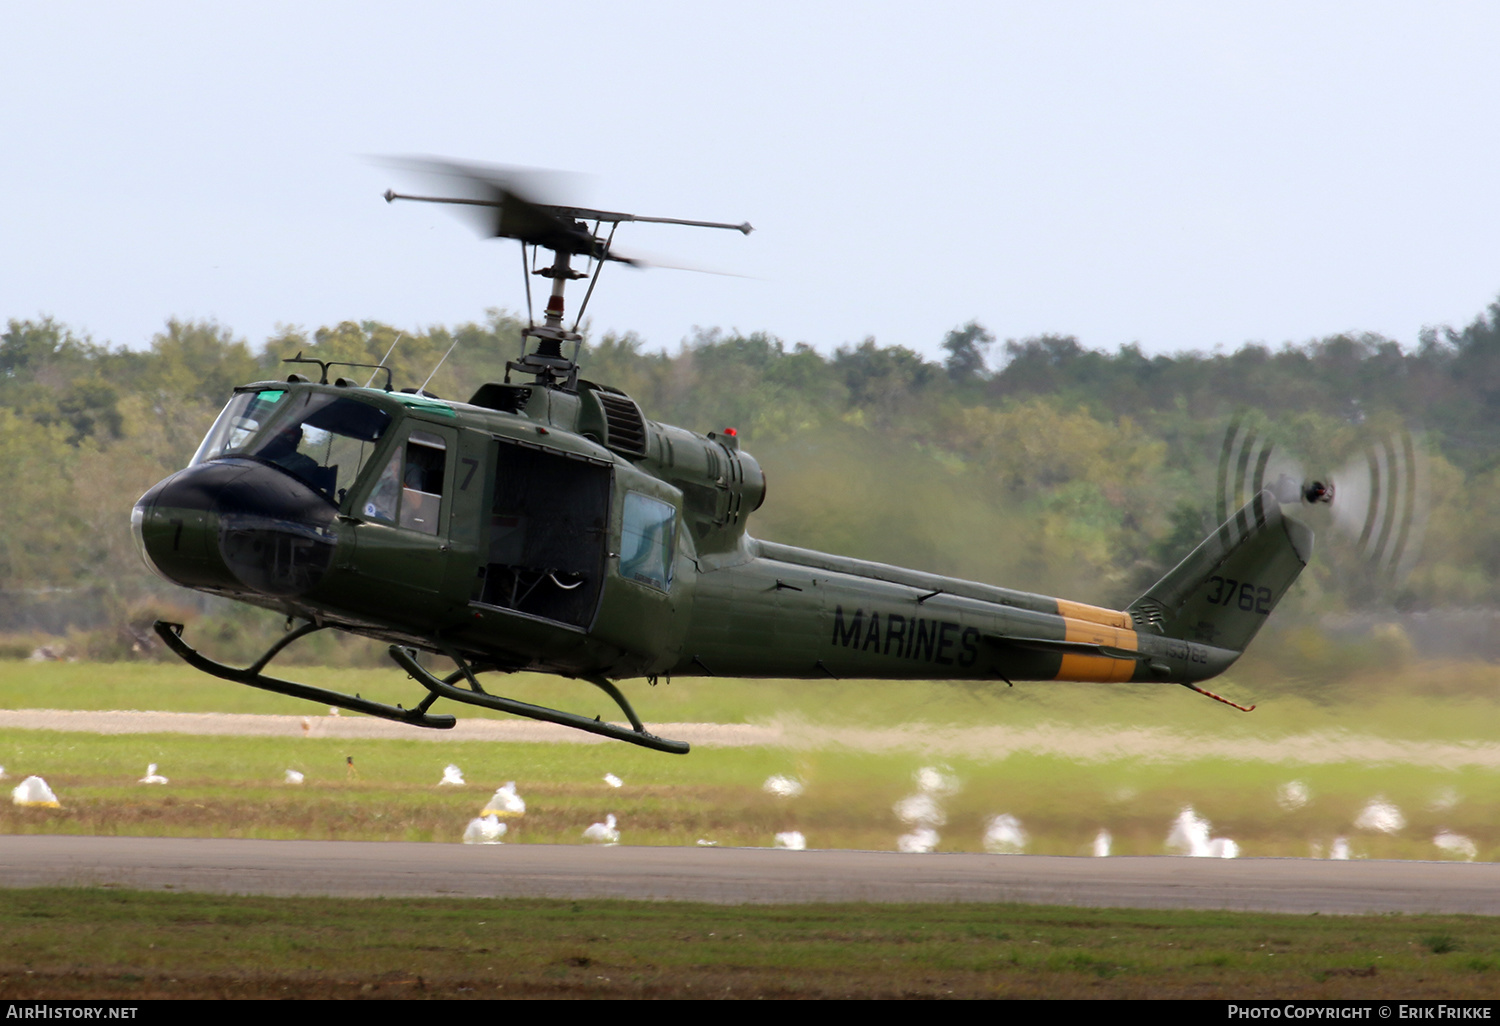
pixel 236 527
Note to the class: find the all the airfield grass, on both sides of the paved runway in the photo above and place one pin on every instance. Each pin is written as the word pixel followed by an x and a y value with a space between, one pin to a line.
pixel 118 944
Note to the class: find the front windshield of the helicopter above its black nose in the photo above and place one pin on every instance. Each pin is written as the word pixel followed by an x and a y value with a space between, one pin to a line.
pixel 320 439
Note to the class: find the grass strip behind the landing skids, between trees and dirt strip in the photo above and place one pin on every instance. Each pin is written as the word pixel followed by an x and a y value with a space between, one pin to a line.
pixel 1418 703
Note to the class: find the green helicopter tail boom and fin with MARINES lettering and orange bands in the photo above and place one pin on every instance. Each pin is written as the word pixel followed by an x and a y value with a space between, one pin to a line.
pixel 790 613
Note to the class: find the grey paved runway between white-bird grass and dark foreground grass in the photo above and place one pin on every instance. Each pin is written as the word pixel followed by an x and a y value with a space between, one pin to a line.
pixel 745 875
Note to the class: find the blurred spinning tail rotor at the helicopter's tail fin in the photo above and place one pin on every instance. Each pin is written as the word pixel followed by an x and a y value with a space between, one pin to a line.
pixel 1378 500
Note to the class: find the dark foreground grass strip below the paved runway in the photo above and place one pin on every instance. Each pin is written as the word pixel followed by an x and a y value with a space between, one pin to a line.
pixel 118 944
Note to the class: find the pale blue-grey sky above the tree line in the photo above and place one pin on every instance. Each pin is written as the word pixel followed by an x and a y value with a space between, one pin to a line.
pixel 1175 175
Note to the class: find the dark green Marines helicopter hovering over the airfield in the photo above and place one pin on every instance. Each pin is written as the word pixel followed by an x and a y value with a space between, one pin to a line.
pixel 547 524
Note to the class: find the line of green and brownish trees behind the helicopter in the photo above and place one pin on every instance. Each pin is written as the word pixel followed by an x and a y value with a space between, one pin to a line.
pixel 1033 463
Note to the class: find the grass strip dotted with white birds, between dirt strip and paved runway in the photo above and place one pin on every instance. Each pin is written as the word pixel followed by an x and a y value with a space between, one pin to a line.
pixel 235 788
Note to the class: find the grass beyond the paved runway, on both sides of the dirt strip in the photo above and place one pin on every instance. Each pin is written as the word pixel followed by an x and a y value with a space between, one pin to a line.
pixel 235 787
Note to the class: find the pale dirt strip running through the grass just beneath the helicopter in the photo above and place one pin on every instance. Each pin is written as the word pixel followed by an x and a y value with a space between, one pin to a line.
pixel 985 742
